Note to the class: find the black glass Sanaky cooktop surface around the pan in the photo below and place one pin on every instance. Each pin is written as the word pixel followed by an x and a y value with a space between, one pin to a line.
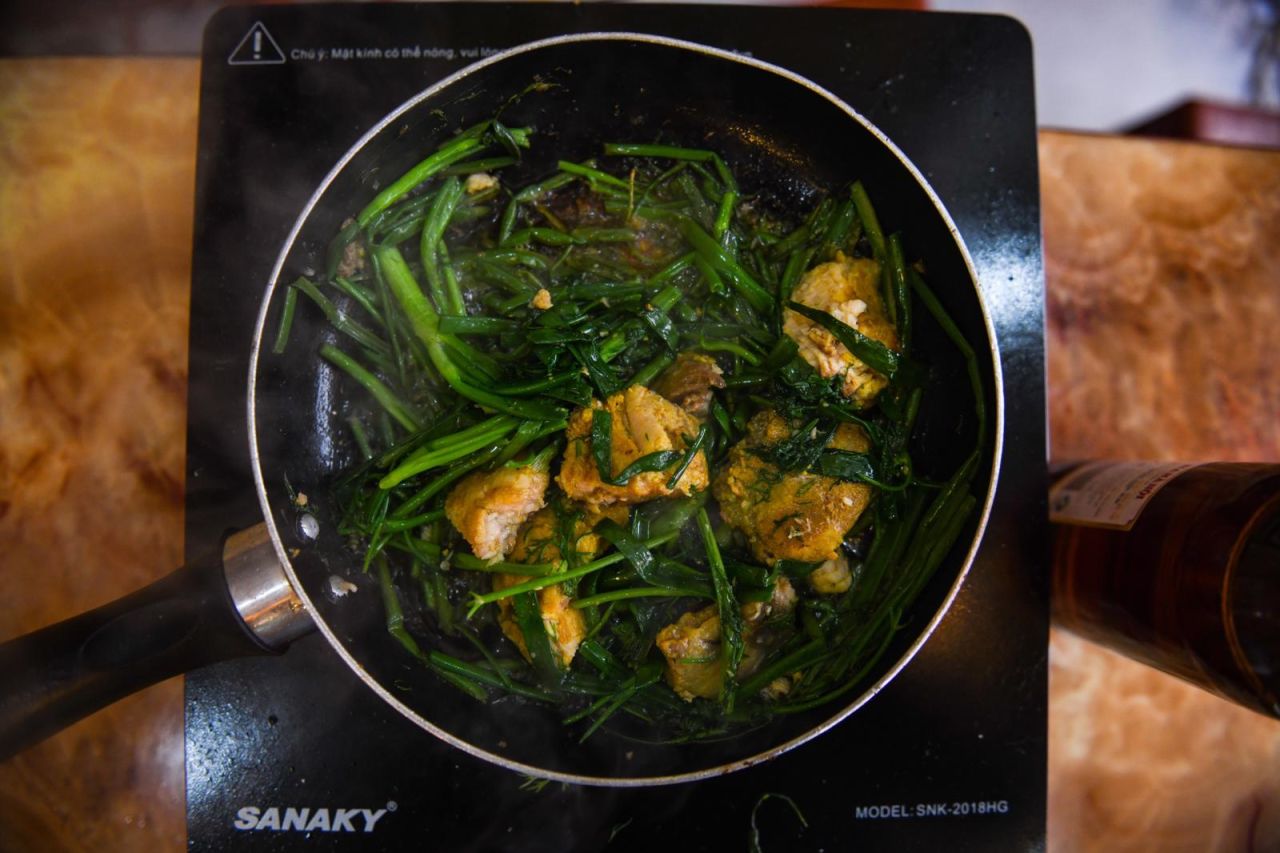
pixel 294 752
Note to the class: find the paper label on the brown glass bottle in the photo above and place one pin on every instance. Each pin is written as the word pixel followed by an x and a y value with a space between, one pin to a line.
pixel 1109 495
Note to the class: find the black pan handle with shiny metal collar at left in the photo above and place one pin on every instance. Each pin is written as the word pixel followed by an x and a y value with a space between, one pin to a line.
pixel 198 615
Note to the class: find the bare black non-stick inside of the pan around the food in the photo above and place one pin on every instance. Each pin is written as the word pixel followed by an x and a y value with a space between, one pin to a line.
pixel 789 144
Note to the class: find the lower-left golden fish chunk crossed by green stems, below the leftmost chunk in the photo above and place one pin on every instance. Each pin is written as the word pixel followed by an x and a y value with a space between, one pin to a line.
pixel 540 541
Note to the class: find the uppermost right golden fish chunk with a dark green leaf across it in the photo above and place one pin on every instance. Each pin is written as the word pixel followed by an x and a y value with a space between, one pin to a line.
pixel 849 290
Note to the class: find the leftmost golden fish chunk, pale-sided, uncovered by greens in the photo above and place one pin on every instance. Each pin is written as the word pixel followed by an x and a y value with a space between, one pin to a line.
pixel 488 508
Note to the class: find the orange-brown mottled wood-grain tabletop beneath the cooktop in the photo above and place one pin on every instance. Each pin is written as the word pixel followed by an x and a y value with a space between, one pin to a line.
pixel 1164 300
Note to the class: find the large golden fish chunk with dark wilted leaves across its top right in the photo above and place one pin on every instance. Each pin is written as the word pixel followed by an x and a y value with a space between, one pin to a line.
pixel 789 516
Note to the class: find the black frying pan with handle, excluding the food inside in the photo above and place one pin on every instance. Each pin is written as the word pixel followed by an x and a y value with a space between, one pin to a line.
pixel 785 138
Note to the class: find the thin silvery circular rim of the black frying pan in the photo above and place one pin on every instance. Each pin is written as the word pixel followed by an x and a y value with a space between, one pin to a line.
pixel 282 553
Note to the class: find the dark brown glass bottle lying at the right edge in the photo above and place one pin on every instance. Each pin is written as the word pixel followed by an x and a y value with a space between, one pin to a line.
pixel 1176 565
